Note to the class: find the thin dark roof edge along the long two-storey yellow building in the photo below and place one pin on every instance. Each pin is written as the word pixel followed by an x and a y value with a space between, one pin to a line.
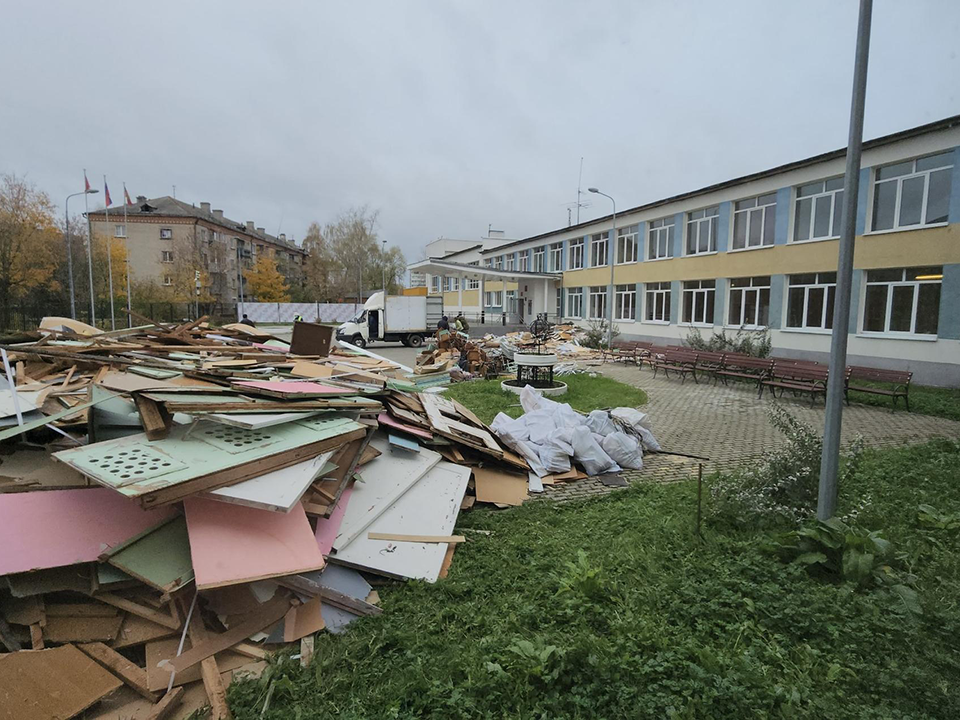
pixel 944 124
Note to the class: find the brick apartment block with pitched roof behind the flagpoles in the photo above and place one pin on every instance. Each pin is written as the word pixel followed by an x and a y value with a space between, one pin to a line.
pixel 168 240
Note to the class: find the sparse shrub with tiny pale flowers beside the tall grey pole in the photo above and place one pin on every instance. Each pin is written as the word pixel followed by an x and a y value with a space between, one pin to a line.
pixel 782 486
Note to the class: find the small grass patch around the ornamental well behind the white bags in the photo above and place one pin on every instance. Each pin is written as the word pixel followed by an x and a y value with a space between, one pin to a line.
pixel 584 393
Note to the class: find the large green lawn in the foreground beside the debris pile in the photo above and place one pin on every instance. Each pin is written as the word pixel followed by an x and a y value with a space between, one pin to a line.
pixel 612 608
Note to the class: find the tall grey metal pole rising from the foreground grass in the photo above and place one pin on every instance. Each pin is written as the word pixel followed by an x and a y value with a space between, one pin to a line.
pixel 830 458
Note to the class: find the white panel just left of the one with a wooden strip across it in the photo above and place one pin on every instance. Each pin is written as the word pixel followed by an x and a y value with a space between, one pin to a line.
pixel 384 481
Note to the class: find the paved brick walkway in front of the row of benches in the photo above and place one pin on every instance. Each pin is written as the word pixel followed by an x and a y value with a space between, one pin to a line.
pixel 730 426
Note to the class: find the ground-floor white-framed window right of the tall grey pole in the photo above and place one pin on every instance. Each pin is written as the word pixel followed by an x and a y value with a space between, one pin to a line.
pixel 903 301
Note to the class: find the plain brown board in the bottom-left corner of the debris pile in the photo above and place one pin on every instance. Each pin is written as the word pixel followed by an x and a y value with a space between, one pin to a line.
pixel 27 679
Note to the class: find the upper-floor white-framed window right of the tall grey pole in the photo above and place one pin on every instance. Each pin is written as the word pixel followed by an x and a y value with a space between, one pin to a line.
pixel 912 193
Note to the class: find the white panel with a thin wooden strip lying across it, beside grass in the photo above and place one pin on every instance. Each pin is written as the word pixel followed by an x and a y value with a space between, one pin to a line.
pixel 430 507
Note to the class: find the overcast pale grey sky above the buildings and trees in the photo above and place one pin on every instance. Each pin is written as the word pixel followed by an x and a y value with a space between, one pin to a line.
pixel 447 116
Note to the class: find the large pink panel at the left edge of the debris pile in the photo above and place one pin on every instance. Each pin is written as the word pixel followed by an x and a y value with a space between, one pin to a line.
pixel 66 527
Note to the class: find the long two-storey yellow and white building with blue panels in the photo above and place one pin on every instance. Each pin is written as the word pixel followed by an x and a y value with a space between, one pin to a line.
pixel 760 252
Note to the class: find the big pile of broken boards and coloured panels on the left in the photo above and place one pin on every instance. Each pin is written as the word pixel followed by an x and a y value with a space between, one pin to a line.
pixel 178 500
